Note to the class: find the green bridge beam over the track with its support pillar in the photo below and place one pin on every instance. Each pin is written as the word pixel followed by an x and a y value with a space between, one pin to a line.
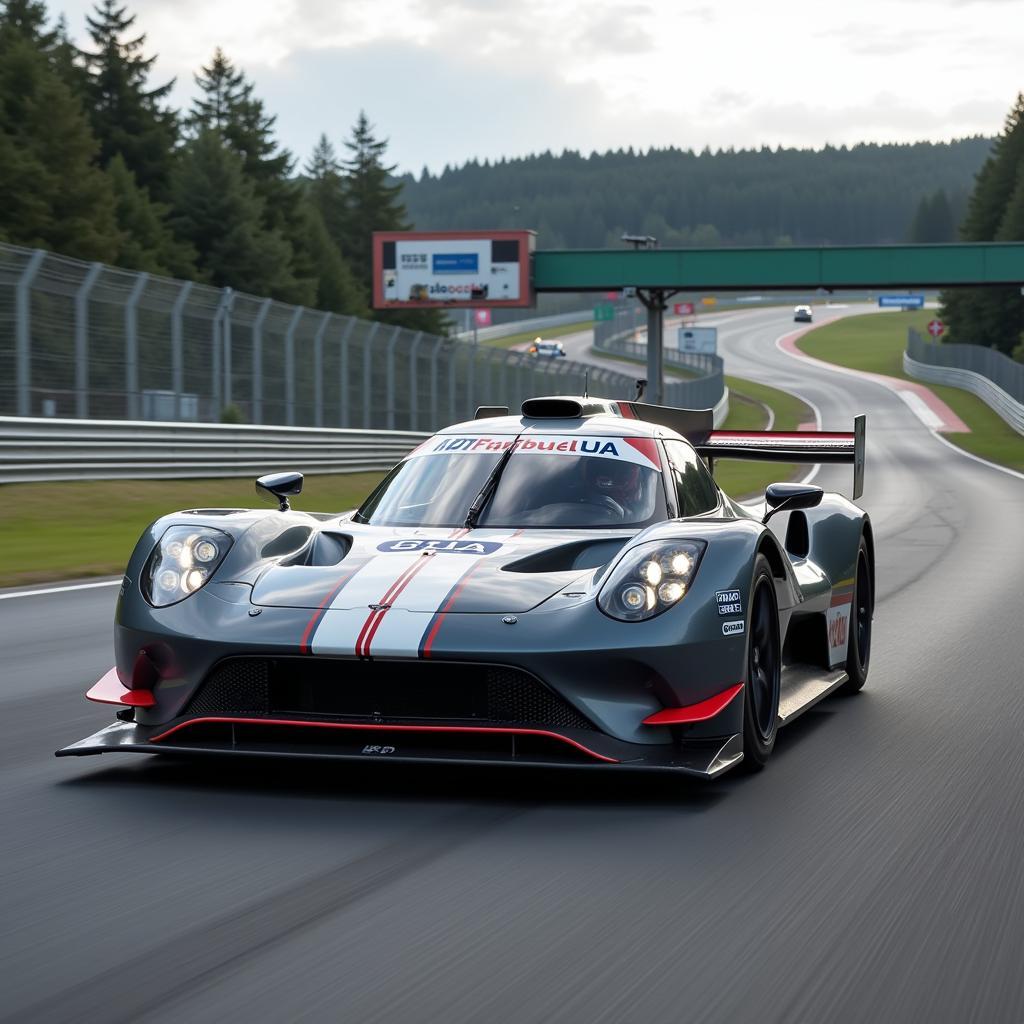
pixel 659 274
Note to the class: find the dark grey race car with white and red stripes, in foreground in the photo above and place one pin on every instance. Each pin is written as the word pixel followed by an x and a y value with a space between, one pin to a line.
pixel 565 587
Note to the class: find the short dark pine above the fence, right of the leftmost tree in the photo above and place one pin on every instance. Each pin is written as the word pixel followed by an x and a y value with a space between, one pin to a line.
pixel 148 241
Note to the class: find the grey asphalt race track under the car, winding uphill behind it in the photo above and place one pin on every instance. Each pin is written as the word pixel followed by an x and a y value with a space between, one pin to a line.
pixel 873 873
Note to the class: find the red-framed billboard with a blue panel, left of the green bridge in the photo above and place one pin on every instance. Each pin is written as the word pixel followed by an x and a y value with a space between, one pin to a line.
pixel 452 270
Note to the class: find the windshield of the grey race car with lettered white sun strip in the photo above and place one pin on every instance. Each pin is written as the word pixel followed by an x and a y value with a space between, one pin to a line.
pixel 553 482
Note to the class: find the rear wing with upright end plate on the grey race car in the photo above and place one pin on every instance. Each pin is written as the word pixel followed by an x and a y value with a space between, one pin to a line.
pixel 778 446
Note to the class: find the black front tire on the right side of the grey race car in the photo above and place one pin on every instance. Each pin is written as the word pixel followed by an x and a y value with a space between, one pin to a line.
pixel 764 668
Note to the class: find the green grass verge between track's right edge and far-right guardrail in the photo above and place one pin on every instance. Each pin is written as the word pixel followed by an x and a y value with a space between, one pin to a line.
pixel 876 344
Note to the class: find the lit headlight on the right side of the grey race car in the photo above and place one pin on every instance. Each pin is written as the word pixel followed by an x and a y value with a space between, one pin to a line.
pixel 652 578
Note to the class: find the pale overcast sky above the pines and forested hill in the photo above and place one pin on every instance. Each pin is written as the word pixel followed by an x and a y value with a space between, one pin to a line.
pixel 449 80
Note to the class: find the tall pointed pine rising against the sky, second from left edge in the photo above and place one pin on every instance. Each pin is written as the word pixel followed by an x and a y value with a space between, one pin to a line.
pixel 129 117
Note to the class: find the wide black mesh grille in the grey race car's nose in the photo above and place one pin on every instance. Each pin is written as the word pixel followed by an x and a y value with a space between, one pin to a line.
pixel 393 692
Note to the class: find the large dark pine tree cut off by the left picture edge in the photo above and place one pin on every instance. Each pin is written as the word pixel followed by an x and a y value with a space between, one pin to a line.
pixel 55 196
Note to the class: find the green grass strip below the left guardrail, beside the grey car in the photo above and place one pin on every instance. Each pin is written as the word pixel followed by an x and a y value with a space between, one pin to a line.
pixel 81 529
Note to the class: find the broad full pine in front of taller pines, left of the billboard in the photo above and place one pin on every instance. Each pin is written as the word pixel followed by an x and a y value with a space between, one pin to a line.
pixel 218 210
